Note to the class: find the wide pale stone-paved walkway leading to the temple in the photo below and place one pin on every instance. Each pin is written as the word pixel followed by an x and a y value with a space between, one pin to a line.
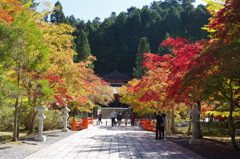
pixel 106 142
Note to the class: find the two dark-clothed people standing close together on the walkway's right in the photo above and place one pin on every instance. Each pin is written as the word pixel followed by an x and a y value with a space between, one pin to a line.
pixel 160 125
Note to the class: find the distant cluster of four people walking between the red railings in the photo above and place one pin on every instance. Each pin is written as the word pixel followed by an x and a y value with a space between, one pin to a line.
pixel 119 118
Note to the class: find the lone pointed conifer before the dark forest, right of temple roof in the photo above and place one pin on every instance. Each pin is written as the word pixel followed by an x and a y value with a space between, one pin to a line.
pixel 143 47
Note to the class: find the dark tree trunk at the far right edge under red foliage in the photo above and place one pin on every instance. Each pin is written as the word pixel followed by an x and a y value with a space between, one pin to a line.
pixel 232 127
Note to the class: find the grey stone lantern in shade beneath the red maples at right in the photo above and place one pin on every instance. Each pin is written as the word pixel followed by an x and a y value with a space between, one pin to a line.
pixel 194 112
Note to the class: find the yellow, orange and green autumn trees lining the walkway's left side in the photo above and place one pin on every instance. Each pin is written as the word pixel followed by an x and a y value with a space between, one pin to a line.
pixel 37 65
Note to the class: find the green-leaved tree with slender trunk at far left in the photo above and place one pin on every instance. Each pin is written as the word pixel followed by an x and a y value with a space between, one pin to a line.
pixel 27 53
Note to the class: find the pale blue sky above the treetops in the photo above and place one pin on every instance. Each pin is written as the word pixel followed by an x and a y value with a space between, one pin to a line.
pixel 90 9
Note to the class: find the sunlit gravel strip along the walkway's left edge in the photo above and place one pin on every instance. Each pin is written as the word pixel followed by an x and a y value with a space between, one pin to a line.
pixel 26 146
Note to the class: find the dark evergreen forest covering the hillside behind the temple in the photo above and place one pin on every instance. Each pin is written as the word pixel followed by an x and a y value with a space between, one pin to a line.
pixel 115 40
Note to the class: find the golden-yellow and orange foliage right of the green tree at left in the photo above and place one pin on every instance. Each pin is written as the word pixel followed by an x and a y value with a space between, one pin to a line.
pixel 78 79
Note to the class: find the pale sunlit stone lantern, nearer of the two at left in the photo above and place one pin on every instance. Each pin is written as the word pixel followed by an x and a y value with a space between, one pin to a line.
pixel 40 116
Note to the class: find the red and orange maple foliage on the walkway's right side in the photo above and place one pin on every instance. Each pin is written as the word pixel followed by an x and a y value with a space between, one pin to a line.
pixel 200 72
